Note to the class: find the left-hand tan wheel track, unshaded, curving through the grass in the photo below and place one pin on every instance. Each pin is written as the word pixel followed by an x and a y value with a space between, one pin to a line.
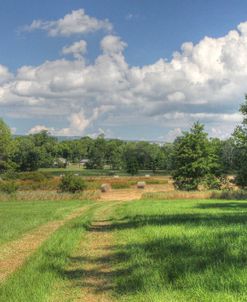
pixel 14 254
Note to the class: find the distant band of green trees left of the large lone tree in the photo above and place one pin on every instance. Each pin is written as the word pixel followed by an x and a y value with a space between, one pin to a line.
pixel 41 150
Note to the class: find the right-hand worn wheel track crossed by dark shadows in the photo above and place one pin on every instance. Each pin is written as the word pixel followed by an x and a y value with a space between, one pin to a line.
pixel 89 273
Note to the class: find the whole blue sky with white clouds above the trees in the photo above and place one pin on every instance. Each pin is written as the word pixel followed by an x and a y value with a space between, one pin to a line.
pixel 132 69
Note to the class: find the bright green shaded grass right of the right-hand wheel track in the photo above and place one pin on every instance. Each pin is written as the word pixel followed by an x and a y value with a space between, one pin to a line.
pixel 180 251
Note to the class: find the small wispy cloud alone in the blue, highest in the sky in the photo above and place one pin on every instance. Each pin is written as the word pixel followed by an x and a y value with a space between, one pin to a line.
pixel 77 22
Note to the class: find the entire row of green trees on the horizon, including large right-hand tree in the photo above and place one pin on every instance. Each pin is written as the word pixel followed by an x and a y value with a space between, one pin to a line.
pixel 193 158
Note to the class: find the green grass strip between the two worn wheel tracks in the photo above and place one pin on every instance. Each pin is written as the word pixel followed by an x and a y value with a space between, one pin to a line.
pixel 34 281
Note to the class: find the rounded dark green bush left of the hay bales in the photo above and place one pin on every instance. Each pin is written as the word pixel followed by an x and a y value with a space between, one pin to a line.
pixel 71 183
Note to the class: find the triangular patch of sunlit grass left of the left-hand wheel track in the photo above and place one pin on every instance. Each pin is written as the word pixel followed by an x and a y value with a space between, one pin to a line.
pixel 20 217
